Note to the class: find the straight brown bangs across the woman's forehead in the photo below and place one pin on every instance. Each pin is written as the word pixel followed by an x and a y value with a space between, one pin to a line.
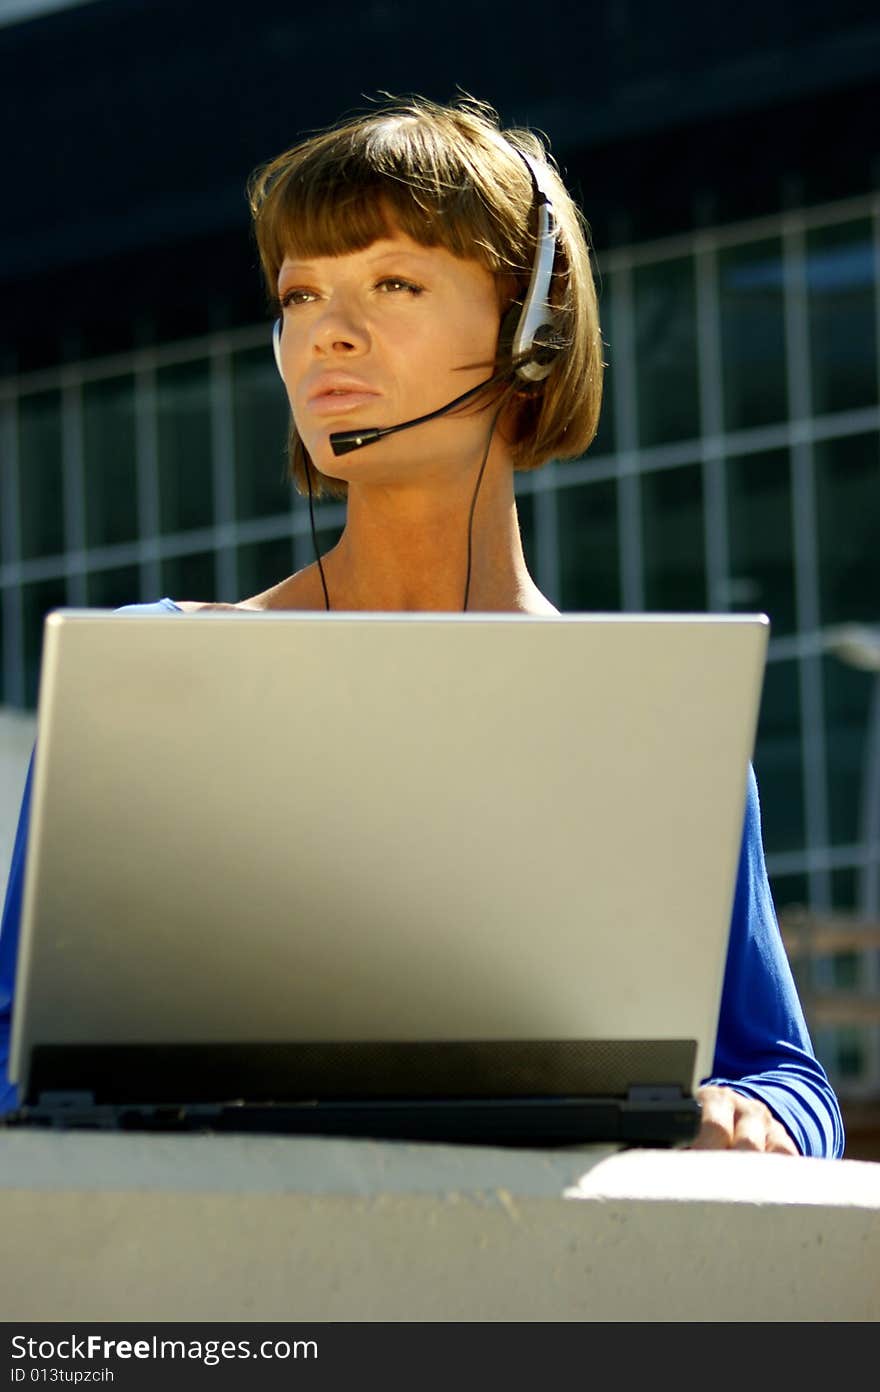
pixel 352 187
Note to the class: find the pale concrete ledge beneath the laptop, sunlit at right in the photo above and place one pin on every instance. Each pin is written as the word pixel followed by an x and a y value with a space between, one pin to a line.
pixel 297 1230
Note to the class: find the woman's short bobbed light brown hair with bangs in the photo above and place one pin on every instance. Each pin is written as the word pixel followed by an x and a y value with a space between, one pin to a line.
pixel 446 176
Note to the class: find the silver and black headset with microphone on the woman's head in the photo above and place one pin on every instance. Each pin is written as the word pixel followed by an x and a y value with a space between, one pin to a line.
pixel 531 332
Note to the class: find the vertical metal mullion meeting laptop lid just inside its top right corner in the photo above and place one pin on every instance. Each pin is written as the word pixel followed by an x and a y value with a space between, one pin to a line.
pixel 712 425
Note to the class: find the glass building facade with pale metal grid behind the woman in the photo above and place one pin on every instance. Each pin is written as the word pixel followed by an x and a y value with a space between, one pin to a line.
pixel 737 468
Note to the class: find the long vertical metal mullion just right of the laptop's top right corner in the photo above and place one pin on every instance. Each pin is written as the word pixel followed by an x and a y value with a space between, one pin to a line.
pixel 806 560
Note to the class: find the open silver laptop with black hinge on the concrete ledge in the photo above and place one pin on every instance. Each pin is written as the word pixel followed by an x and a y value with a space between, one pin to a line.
pixel 424 876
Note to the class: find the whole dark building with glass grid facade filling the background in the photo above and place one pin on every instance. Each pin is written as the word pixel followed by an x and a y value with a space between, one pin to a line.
pixel 728 162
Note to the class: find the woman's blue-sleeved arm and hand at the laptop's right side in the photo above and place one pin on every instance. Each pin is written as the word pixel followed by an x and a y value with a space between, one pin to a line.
pixel 764 1050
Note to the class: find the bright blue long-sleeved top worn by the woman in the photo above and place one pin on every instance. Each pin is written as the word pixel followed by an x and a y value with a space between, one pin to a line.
pixel 762 1047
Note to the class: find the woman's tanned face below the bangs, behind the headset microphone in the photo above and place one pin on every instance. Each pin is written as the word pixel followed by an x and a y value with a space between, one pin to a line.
pixel 382 336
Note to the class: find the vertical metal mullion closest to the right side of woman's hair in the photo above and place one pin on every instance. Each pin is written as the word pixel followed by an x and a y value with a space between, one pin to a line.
pixel 626 400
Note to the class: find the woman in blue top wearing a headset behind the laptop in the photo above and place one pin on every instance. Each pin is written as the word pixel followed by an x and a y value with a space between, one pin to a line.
pixel 411 255
